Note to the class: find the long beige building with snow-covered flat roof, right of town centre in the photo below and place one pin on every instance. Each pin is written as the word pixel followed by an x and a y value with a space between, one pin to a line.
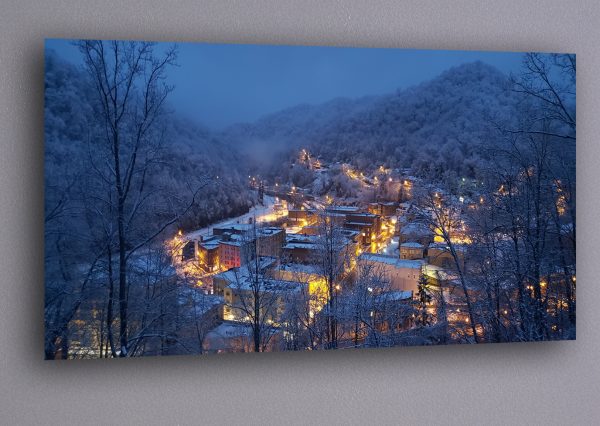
pixel 403 275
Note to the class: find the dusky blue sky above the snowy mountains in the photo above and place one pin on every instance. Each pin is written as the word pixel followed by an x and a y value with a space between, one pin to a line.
pixel 221 84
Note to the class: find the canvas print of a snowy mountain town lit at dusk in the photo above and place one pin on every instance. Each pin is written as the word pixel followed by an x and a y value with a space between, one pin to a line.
pixel 207 199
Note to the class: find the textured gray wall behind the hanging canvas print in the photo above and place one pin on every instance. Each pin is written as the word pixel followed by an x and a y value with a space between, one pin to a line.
pixel 521 383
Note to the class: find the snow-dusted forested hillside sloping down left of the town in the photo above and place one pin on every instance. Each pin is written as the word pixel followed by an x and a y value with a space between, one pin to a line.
pixel 185 154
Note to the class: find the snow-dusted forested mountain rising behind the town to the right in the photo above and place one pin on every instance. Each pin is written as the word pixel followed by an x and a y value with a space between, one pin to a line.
pixel 436 128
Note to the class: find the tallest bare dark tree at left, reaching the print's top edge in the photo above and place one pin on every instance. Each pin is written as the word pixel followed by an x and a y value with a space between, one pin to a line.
pixel 130 94
